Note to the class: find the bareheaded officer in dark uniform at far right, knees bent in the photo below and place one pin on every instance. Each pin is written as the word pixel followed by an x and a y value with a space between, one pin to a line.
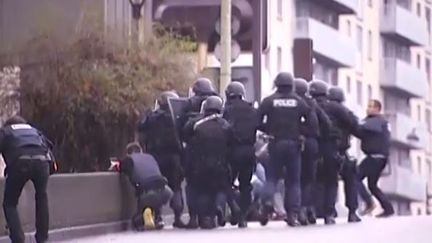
pixel 375 143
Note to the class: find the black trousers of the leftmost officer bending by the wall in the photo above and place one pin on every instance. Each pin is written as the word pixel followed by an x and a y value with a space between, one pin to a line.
pixel 18 174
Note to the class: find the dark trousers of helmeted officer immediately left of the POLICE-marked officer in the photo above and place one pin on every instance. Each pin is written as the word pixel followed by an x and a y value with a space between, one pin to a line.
pixel 242 160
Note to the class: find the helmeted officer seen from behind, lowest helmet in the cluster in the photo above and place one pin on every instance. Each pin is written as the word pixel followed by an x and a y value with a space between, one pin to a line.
pixel 208 136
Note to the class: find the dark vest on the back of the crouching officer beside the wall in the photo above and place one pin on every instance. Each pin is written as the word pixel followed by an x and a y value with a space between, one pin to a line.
pixel 145 169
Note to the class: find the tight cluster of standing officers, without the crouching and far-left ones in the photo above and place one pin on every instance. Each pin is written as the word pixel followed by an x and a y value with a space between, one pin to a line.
pixel 211 144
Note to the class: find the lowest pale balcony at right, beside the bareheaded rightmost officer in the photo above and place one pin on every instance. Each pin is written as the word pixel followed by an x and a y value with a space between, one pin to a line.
pixel 403 183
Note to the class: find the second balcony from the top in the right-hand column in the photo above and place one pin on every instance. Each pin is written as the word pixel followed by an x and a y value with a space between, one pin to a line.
pixel 404 78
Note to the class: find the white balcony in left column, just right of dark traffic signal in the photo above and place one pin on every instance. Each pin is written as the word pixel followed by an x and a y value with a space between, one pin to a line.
pixel 328 43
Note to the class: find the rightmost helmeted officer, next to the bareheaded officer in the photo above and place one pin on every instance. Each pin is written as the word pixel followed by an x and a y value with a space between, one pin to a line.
pixel 329 146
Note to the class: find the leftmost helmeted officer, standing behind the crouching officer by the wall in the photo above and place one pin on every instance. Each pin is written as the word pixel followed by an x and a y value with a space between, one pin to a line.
pixel 161 140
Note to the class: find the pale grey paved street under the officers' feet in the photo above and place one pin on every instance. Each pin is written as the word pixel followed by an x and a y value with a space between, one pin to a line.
pixel 392 230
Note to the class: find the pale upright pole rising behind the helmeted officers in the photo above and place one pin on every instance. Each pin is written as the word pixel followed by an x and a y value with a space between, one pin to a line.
pixel 225 26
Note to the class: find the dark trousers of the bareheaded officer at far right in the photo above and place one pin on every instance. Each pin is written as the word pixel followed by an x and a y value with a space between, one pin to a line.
pixel 371 168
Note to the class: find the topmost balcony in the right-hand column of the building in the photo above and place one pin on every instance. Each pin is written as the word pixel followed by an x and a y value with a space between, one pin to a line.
pixel 404 25
